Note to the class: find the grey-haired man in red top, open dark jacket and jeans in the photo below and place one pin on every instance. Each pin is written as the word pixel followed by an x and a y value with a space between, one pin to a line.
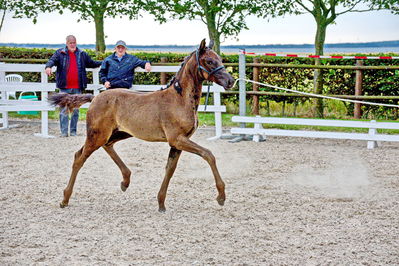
pixel 71 63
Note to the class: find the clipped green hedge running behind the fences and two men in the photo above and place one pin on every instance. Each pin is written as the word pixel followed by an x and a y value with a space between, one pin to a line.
pixel 375 82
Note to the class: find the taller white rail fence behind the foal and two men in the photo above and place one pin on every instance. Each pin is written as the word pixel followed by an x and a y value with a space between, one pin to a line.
pixel 44 88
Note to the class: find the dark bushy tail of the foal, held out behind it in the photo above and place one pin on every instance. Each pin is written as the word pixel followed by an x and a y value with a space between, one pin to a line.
pixel 70 101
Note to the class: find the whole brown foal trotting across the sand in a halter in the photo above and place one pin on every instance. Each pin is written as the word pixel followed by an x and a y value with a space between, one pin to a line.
pixel 168 115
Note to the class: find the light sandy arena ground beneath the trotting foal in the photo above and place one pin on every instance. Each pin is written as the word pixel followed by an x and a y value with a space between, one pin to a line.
pixel 290 201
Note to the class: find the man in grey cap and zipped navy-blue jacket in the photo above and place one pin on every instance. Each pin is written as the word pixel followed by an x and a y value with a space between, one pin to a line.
pixel 117 70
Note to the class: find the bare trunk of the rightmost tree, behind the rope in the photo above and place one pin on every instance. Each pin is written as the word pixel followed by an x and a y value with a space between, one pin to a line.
pixel 318 74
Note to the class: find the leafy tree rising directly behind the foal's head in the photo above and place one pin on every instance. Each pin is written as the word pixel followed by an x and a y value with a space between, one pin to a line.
pixel 223 18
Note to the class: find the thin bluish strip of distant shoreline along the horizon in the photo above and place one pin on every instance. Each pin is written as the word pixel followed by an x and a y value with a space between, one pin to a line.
pixel 364 47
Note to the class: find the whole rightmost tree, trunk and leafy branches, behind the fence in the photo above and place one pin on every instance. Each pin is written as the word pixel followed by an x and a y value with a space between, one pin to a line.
pixel 325 13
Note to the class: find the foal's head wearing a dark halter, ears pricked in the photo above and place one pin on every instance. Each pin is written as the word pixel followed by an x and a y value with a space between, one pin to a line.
pixel 210 66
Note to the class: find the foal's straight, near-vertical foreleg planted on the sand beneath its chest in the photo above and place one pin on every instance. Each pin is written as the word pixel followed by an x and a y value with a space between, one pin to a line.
pixel 174 155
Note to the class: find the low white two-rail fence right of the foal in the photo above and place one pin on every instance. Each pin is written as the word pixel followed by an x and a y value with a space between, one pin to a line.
pixel 371 137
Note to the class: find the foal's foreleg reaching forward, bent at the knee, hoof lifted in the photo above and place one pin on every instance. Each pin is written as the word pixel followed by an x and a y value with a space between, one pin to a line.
pixel 185 144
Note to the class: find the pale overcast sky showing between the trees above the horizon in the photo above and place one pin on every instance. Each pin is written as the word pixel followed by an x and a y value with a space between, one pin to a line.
pixel 351 27
